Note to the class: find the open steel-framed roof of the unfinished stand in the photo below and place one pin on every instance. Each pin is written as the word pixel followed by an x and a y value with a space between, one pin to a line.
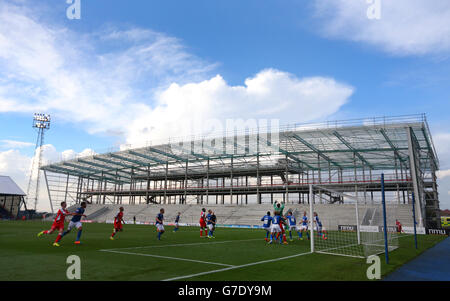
pixel 372 143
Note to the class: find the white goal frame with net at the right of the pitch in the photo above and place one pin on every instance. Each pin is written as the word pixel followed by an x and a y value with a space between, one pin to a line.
pixel 355 228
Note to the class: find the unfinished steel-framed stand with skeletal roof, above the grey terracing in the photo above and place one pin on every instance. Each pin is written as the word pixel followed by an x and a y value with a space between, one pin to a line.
pixel 256 168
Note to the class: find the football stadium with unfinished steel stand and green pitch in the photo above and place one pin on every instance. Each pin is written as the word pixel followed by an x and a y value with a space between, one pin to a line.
pixel 349 190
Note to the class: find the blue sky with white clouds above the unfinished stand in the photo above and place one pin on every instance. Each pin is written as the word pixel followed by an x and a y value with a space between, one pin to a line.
pixel 145 55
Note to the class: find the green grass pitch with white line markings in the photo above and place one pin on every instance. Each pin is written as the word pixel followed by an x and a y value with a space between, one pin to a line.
pixel 137 255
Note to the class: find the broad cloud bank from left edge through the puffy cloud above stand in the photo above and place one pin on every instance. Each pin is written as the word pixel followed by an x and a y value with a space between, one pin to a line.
pixel 144 86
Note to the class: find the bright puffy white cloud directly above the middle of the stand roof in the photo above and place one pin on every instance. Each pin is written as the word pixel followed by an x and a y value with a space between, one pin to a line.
pixel 184 109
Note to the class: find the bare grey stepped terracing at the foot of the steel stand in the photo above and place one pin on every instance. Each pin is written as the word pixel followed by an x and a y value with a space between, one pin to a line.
pixel 330 214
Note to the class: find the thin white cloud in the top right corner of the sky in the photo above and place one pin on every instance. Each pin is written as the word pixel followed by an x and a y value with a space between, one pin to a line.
pixel 406 27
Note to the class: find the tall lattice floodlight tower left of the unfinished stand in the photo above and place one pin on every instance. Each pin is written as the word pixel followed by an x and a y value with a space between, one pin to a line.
pixel 41 122
